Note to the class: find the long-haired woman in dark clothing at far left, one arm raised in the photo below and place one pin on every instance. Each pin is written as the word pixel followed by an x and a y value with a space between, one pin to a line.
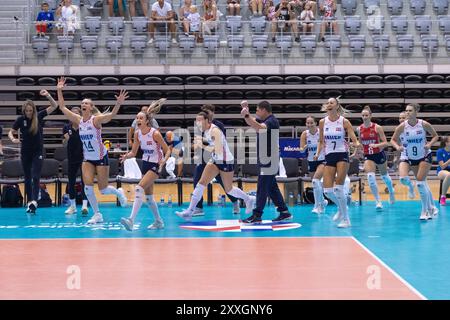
pixel 31 124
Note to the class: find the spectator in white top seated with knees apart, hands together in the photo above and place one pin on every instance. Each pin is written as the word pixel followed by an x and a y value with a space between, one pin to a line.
pixel 162 17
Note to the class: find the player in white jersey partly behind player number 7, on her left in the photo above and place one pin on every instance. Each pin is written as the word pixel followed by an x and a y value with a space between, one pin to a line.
pixel 309 141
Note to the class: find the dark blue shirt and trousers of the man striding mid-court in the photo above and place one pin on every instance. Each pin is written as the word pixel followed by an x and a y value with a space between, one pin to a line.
pixel 267 184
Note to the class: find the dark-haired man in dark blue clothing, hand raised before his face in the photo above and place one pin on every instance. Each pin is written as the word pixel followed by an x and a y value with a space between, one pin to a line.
pixel 267 128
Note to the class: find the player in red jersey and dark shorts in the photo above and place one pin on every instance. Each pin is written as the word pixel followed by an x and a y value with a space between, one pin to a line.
pixel 373 140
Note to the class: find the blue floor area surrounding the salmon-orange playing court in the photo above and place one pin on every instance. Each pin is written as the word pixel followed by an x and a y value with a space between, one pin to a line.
pixel 417 251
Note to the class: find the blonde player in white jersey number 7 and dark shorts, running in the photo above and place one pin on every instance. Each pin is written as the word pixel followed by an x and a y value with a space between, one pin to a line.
pixel 332 139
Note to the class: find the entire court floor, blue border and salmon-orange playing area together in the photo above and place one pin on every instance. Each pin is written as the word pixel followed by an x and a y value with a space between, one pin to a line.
pixel 306 258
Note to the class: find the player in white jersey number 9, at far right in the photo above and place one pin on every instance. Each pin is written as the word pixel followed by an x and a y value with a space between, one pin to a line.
pixel 418 151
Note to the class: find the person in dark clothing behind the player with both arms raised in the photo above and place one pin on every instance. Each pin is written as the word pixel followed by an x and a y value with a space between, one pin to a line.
pixel 74 162
